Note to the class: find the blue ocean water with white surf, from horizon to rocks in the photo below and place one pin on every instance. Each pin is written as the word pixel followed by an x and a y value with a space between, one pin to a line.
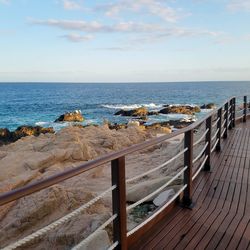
pixel 41 103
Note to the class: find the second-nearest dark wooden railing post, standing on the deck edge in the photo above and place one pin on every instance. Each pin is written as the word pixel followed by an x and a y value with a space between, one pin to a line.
pixel 188 162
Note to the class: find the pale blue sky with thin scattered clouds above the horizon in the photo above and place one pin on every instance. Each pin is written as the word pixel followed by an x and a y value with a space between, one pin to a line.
pixel 124 40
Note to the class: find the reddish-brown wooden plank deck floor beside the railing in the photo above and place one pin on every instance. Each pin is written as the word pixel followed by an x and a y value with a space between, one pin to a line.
pixel 220 218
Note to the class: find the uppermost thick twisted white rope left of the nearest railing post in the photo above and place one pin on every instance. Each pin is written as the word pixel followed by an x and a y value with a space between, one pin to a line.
pixel 58 222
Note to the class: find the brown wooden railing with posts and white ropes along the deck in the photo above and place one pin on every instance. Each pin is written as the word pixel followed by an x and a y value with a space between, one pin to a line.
pixel 221 119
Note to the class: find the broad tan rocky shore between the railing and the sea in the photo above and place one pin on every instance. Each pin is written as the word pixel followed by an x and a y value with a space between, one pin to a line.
pixel 35 153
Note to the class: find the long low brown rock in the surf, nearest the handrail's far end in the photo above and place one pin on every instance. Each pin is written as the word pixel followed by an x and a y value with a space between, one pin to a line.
pixel 182 109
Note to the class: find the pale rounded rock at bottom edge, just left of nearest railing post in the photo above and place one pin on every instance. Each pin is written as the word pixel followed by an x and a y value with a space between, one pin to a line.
pixel 99 242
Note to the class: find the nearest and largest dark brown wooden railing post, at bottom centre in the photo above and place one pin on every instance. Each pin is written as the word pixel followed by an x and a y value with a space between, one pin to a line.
pixel 119 202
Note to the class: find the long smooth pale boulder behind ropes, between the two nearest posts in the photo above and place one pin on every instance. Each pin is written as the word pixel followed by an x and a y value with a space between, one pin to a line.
pixel 144 188
